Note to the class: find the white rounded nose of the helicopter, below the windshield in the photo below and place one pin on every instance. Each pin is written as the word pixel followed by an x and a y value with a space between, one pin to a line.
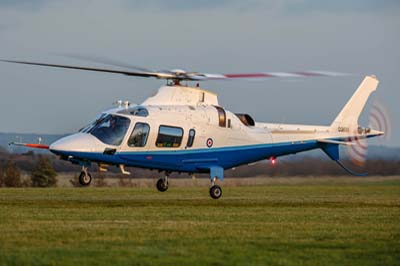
pixel 79 142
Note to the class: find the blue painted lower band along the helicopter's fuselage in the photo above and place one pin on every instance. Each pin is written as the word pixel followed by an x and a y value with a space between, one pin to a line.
pixel 196 160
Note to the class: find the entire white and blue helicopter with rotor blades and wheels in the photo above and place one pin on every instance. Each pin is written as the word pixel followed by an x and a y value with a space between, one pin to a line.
pixel 184 129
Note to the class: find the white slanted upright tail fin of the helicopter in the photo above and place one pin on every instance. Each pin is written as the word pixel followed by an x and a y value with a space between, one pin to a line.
pixel 348 117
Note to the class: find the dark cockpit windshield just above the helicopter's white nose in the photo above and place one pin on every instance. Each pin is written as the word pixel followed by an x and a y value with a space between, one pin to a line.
pixel 111 129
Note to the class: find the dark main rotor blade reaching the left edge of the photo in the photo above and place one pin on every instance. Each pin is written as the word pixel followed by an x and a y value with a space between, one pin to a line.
pixel 128 73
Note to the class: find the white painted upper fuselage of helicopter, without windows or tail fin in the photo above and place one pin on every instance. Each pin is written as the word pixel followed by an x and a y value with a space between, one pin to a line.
pixel 194 108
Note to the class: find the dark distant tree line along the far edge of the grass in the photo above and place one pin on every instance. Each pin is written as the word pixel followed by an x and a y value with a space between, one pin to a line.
pixel 42 169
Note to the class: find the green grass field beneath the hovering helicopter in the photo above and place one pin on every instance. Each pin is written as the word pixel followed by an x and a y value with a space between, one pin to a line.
pixel 301 221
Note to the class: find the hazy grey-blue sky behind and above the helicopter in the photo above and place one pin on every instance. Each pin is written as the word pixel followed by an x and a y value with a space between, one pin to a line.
pixel 361 37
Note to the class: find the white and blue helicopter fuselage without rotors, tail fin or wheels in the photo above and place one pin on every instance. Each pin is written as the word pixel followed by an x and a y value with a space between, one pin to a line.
pixel 189 132
